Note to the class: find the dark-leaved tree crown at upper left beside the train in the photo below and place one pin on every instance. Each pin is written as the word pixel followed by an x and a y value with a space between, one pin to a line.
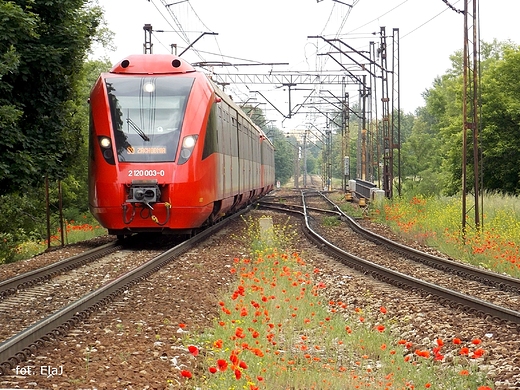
pixel 43 56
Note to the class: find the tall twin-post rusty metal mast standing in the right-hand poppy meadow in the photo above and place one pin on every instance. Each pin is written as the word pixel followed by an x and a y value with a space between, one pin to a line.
pixel 470 111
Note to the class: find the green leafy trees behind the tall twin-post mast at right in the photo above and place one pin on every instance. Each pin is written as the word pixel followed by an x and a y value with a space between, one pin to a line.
pixel 435 148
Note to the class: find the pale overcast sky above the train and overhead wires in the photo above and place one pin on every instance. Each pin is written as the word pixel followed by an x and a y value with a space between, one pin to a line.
pixel 276 31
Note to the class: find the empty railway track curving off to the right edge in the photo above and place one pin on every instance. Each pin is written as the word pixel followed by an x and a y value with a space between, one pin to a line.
pixel 489 294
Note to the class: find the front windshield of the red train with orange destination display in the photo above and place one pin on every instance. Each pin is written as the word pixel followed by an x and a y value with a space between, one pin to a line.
pixel 147 115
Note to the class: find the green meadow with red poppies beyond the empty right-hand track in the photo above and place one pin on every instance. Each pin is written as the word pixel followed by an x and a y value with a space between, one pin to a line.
pixel 437 222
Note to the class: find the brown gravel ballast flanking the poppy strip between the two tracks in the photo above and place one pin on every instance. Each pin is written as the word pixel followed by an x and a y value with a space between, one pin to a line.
pixel 136 341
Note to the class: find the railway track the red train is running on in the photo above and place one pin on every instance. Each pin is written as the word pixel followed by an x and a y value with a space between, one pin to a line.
pixel 18 347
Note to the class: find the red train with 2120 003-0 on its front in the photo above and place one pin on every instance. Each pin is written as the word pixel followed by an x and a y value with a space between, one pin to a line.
pixel 168 151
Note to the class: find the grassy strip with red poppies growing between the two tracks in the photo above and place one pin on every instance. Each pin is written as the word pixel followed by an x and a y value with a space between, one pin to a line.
pixel 277 331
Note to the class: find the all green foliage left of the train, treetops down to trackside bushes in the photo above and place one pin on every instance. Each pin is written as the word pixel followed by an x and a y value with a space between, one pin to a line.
pixel 44 87
